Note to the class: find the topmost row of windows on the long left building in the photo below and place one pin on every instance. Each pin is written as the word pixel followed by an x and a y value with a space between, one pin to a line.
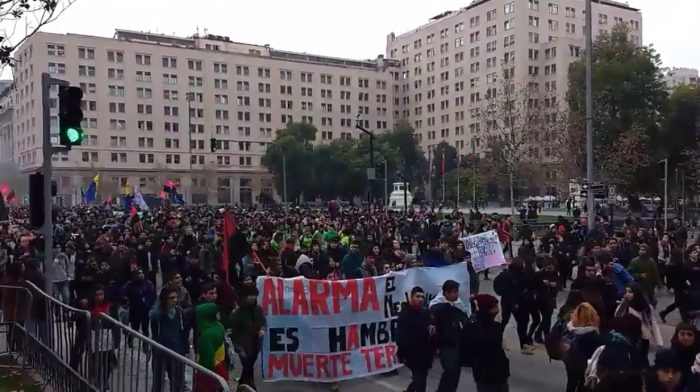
pixel 170 62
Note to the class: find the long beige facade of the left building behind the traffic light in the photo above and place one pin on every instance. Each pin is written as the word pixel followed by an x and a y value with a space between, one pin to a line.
pixel 152 102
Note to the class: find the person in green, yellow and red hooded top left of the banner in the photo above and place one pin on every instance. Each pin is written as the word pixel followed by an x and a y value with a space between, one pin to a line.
pixel 211 351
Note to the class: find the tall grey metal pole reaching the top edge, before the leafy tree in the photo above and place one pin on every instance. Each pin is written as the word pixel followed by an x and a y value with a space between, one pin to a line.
pixel 589 110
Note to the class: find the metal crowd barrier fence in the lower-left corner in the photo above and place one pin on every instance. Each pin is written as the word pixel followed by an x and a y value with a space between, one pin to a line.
pixel 74 350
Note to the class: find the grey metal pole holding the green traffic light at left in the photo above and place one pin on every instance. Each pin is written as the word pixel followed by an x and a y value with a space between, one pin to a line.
pixel 47 151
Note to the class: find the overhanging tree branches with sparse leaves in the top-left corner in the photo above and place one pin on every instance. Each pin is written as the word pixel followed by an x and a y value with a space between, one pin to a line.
pixel 35 14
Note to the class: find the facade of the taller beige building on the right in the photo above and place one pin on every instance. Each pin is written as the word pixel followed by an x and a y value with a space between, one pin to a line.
pixel 449 65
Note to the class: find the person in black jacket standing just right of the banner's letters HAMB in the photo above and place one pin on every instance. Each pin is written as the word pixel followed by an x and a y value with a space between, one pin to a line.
pixel 413 340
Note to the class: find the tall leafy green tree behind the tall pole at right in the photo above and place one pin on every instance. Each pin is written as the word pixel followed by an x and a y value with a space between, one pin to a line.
pixel 629 95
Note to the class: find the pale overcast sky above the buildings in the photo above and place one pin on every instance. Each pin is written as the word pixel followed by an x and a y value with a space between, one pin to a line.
pixel 350 29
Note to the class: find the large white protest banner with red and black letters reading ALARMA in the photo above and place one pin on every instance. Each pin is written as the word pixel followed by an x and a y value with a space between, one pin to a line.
pixel 325 331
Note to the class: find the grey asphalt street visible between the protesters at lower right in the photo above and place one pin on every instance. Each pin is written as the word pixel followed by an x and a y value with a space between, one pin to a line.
pixel 529 373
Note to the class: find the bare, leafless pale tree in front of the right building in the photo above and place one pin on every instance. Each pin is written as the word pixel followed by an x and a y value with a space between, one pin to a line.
pixel 512 120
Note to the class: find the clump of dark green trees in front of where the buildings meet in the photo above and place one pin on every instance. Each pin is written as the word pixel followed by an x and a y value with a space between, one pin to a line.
pixel 339 168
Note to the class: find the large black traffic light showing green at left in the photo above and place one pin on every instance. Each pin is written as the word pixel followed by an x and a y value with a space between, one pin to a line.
pixel 70 116
